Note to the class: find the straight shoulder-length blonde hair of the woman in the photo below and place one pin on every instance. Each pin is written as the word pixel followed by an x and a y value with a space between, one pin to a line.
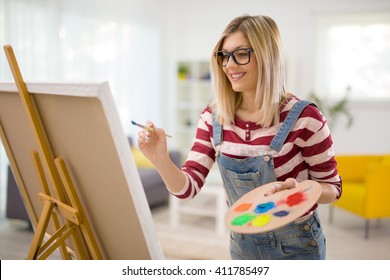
pixel 264 37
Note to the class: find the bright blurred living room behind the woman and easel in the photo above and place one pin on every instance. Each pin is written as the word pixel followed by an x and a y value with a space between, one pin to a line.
pixel 155 55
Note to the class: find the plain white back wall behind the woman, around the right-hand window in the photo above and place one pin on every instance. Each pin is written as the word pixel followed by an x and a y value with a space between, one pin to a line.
pixel 191 28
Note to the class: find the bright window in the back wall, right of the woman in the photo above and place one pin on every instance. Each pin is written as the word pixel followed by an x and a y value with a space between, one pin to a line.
pixel 354 56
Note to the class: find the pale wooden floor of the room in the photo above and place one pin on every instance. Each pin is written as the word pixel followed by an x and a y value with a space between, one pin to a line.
pixel 196 238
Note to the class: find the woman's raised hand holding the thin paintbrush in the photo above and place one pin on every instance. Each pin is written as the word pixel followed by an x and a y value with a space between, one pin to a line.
pixel 153 144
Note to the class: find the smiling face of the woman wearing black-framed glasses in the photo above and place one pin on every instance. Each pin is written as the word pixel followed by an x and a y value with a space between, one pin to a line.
pixel 242 77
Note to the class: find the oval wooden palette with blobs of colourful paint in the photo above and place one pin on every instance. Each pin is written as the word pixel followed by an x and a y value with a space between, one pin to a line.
pixel 255 213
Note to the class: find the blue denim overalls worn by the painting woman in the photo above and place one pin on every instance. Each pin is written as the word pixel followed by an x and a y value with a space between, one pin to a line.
pixel 297 240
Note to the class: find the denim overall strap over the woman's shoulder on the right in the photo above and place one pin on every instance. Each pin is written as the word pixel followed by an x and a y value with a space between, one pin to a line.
pixel 278 140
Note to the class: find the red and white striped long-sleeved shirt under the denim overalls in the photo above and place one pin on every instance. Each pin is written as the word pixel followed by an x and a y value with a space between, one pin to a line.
pixel 306 154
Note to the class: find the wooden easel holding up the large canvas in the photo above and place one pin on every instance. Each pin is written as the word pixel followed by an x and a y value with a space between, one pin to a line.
pixel 61 204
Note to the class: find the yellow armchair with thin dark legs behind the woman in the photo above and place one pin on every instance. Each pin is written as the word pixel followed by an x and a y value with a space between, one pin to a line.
pixel 366 186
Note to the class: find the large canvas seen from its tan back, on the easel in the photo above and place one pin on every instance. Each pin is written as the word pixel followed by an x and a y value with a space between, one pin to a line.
pixel 83 127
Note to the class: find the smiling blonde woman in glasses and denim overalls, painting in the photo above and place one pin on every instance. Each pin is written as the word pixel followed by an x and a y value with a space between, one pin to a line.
pixel 257 133
